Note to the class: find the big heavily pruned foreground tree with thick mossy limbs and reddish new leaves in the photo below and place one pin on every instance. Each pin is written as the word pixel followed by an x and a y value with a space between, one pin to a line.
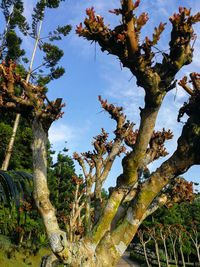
pixel 103 245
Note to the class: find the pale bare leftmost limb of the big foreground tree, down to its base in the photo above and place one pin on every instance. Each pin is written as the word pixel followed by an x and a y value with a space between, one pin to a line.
pixel 72 253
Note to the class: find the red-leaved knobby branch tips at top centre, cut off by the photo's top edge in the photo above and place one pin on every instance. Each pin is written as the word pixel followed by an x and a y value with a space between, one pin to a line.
pixel 123 40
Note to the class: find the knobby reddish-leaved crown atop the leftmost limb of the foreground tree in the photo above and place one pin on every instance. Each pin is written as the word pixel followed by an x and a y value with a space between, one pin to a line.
pixel 31 98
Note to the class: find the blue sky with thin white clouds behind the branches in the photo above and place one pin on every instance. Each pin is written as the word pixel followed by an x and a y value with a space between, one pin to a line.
pixel 90 73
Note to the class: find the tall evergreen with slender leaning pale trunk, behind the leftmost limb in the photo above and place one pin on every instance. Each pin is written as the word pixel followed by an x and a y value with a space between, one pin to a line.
pixel 52 52
